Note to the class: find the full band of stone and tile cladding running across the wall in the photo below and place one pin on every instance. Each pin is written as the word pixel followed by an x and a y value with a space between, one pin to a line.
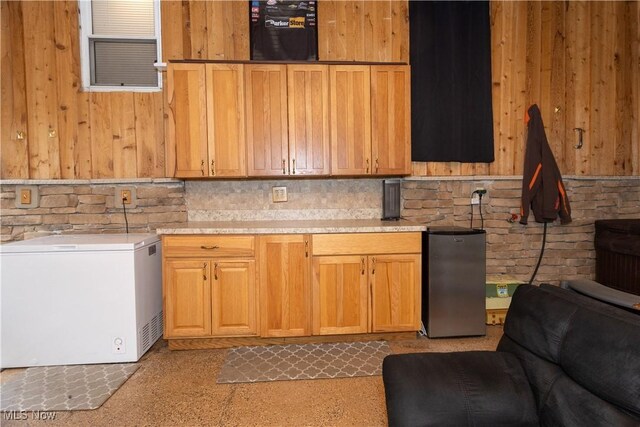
pixel 512 248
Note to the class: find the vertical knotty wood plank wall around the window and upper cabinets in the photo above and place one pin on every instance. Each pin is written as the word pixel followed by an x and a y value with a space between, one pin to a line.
pixel 580 58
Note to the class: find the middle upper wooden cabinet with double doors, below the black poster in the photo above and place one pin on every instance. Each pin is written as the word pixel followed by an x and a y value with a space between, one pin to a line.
pixel 287 119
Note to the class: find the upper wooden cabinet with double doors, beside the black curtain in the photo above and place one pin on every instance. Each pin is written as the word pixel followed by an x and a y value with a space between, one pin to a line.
pixel 370 120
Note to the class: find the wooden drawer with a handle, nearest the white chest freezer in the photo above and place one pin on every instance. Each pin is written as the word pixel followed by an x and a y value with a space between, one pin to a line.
pixel 208 246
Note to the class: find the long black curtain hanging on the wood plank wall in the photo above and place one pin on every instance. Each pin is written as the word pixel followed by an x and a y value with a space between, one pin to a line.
pixel 451 113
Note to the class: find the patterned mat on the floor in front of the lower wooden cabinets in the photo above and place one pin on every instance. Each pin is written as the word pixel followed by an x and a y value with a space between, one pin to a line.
pixel 303 361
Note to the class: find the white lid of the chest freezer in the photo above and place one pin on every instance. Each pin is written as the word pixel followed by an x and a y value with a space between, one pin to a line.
pixel 81 243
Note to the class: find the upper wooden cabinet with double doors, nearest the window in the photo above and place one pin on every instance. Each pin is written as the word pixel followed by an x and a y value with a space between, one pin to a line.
pixel 207 103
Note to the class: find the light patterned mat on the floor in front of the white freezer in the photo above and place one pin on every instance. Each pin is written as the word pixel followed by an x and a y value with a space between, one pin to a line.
pixel 63 388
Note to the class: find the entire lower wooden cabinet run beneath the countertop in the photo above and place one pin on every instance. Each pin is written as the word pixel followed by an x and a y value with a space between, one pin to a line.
pixel 293 285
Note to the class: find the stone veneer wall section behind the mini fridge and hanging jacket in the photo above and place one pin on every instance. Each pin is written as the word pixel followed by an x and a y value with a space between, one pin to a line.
pixel 513 248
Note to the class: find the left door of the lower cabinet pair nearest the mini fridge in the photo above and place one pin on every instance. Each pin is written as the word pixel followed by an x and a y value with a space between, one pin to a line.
pixel 339 295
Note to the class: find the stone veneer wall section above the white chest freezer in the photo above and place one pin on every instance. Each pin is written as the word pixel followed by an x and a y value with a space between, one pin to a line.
pixel 88 207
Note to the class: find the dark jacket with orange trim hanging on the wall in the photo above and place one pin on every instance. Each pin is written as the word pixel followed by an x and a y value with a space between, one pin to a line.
pixel 542 187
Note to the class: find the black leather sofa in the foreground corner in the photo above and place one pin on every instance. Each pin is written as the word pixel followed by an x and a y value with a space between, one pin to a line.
pixel 565 359
